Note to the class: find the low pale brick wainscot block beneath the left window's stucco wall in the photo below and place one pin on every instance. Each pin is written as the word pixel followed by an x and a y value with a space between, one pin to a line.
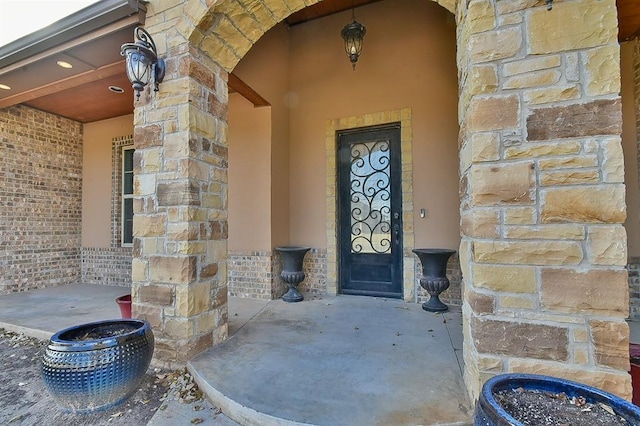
pixel 107 266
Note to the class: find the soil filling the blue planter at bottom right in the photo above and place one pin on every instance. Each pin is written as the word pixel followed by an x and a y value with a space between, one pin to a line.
pixel 540 408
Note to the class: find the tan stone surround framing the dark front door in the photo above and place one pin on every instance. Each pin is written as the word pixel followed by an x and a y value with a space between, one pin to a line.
pixel 403 116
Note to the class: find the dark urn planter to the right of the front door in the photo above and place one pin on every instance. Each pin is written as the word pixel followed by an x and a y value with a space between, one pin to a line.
pixel 434 276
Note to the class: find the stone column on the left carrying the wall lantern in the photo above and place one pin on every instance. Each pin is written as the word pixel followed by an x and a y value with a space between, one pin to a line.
pixel 180 204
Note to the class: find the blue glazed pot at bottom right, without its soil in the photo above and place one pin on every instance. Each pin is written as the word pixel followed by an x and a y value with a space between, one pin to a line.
pixel 489 412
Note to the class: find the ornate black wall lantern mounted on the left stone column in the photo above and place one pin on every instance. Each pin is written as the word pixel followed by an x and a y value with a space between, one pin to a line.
pixel 142 61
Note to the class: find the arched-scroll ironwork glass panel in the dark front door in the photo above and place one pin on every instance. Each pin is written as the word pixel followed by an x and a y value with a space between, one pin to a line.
pixel 370 197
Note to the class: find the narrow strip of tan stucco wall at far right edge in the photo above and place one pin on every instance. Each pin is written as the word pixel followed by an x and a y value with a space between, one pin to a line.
pixel 630 147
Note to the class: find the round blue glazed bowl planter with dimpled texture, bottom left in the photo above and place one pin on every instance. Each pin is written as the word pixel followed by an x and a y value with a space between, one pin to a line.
pixel 94 366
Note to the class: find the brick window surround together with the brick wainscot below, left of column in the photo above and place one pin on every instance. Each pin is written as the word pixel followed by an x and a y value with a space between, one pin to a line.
pixel 111 265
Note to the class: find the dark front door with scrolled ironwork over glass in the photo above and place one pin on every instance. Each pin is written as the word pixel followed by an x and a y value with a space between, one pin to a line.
pixel 370 211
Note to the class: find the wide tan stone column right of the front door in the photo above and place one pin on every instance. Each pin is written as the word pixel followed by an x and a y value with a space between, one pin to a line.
pixel 542 194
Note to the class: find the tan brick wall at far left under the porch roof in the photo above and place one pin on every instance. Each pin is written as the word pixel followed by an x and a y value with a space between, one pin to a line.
pixel 40 199
